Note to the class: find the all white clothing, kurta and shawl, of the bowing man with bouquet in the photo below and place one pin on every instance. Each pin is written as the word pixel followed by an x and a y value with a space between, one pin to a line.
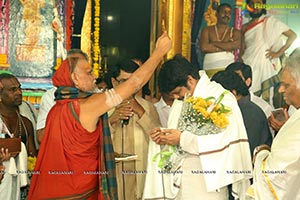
pixel 212 161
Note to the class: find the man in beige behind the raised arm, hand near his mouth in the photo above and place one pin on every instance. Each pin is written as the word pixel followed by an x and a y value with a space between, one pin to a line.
pixel 135 118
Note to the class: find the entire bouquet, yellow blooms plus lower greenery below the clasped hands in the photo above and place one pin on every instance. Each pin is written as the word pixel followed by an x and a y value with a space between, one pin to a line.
pixel 200 116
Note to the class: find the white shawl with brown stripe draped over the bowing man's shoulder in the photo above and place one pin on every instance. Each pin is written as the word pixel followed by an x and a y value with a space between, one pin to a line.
pixel 228 152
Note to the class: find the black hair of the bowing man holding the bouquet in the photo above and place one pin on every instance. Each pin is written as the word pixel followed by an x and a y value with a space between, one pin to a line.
pixel 174 73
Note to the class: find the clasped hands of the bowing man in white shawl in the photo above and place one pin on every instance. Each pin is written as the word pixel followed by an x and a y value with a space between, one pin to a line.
pixel 165 136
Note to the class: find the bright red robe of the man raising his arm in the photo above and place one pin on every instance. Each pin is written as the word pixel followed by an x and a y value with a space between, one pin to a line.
pixel 67 155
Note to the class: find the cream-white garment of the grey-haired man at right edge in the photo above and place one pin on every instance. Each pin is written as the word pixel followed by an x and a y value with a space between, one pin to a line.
pixel 282 164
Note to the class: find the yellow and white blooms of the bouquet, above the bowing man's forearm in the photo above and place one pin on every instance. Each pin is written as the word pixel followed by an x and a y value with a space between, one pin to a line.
pixel 204 116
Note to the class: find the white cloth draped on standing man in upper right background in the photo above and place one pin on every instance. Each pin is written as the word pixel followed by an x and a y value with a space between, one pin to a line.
pixel 263 36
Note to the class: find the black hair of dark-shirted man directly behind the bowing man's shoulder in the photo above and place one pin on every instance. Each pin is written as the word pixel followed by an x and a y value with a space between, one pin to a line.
pixel 231 81
